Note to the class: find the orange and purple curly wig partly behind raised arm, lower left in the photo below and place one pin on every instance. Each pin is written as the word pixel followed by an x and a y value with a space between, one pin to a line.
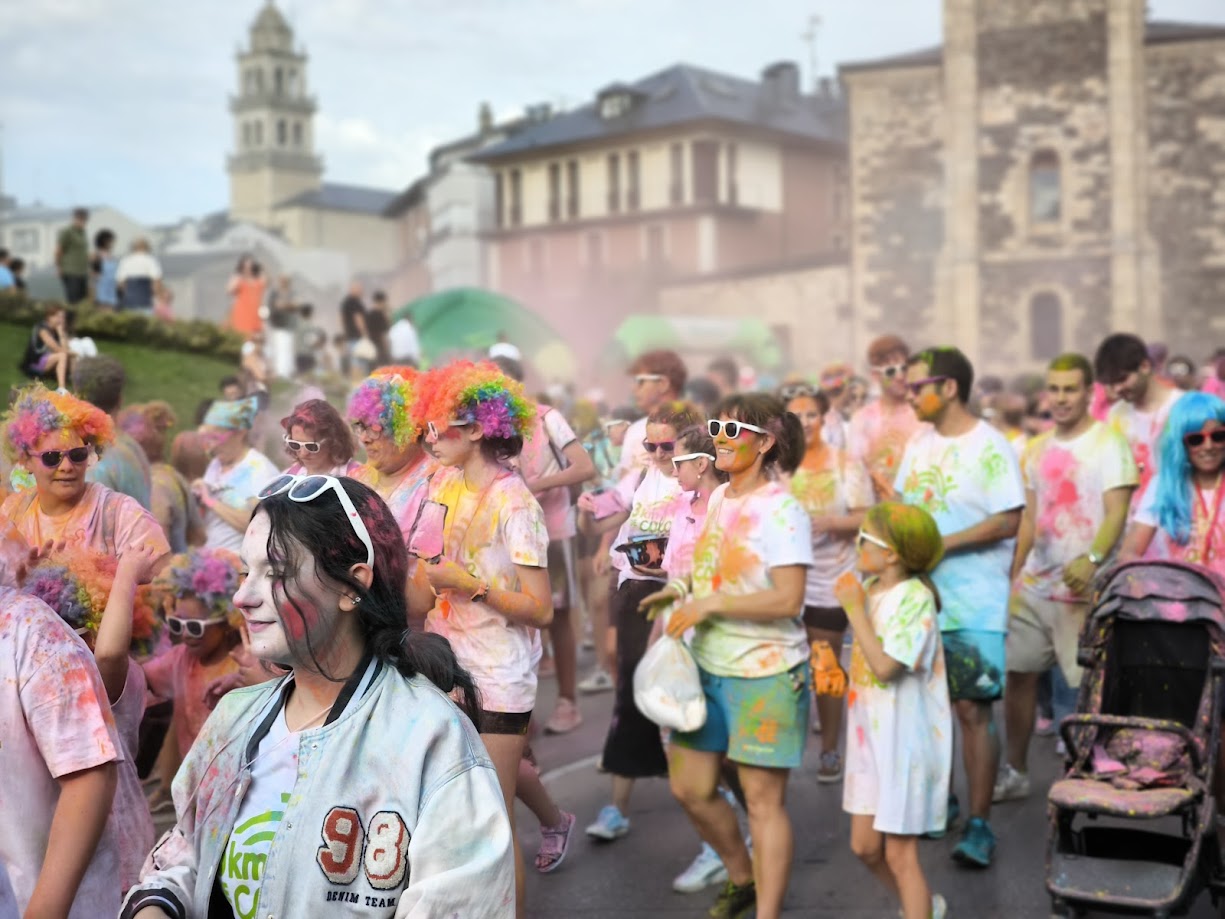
pixel 77 585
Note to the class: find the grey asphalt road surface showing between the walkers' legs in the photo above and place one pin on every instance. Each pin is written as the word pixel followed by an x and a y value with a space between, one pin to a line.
pixel 631 878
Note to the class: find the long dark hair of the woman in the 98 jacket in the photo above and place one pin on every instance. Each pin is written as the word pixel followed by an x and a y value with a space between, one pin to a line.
pixel 322 530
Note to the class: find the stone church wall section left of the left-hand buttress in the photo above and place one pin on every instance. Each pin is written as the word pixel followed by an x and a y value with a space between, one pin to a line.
pixel 897 130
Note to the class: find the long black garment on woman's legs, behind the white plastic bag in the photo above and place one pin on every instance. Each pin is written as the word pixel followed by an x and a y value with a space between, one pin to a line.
pixel 633 748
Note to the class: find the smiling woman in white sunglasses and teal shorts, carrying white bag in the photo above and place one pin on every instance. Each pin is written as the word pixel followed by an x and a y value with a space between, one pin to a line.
pixel 753 654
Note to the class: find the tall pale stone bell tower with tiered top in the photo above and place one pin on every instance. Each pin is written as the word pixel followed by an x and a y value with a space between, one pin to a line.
pixel 274 155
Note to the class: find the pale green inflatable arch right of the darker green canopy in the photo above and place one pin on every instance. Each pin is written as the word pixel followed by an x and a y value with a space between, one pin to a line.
pixel 752 339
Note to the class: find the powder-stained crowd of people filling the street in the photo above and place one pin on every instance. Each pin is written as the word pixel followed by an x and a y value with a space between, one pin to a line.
pixel 328 667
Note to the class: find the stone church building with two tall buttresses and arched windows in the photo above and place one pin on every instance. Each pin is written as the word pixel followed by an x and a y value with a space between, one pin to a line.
pixel 1053 173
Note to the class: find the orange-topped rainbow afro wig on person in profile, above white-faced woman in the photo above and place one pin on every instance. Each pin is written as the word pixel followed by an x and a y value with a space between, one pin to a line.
pixel 481 394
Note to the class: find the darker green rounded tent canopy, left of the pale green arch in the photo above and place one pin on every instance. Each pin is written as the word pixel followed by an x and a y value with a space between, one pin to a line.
pixel 467 319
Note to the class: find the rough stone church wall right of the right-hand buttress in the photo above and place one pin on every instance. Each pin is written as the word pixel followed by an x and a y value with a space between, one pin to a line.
pixel 1186 124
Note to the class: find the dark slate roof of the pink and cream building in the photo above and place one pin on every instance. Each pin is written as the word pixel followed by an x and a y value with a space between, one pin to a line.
pixel 680 95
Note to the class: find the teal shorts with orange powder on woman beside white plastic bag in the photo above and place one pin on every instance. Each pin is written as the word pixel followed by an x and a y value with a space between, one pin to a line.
pixel 756 722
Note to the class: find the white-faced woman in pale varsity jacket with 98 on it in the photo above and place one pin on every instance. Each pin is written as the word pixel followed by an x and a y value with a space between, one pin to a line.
pixel 355 786
